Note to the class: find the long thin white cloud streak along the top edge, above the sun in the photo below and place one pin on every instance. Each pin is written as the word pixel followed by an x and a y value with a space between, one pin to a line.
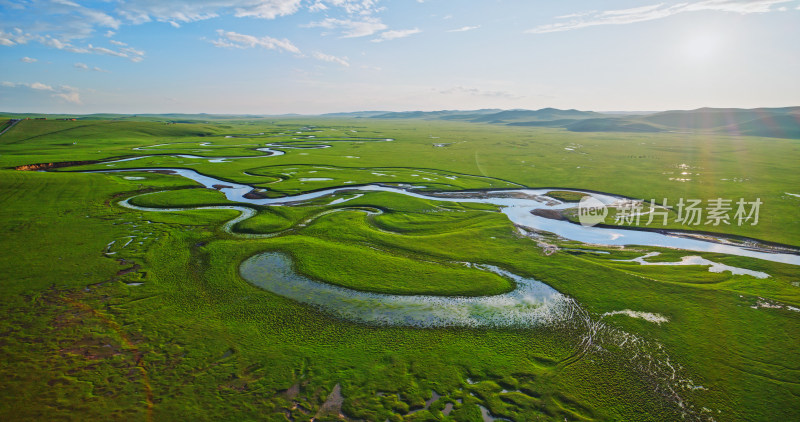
pixel 656 11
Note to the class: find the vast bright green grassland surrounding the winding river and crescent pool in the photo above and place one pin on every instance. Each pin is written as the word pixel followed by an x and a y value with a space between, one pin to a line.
pixel 112 313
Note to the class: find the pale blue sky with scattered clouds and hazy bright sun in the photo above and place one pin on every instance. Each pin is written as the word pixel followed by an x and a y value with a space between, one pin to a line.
pixel 320 56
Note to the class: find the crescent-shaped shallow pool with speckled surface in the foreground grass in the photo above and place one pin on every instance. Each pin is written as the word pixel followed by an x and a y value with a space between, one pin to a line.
pixel 531 303
